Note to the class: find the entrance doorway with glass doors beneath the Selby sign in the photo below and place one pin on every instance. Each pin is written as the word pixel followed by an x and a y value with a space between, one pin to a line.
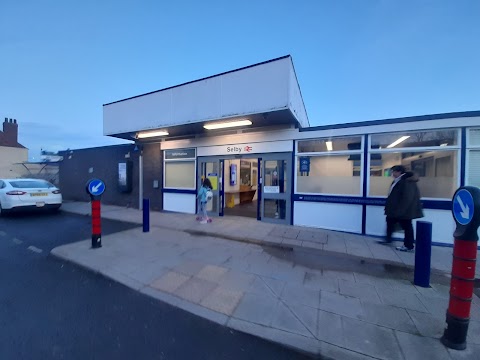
pixel 254 186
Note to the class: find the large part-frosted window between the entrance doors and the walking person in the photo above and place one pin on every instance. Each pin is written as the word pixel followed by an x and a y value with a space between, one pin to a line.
pixel 333 166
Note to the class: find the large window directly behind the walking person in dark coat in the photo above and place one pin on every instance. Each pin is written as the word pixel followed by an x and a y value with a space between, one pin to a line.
pixel 436 164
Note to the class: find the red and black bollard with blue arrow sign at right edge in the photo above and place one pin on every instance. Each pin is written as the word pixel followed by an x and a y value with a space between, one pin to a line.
pixel 466 213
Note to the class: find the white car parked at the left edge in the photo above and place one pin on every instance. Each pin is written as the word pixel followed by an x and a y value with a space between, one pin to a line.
pixel 25 194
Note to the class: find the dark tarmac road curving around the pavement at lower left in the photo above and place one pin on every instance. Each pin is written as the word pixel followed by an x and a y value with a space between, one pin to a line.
pixel 50 309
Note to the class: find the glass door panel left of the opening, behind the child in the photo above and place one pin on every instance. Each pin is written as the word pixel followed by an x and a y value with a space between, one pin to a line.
pixel 212 169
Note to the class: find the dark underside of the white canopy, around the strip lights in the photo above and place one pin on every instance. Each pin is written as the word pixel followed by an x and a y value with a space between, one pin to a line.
pixel 281 117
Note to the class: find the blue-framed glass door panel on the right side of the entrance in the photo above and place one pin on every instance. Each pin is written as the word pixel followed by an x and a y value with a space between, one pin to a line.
pixel 276 188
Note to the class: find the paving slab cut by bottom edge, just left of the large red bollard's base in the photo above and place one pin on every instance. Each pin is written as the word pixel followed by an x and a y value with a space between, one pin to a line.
pixel 421 348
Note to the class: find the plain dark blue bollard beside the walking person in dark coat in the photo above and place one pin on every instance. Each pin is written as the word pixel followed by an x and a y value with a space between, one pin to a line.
pixel 423 254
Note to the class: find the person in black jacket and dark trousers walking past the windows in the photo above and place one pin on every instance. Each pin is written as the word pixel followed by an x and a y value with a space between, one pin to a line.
pixel 403 205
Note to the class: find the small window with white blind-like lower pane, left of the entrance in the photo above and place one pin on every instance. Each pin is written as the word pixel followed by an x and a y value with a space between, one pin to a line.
pixel 179 168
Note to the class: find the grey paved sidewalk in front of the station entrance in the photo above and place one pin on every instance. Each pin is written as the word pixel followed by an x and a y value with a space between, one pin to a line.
pixel 338 295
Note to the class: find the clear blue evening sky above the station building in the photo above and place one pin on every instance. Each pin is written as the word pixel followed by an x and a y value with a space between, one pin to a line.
pixel 60 61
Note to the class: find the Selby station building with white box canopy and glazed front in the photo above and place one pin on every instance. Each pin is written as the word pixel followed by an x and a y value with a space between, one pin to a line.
pixel 247 130
